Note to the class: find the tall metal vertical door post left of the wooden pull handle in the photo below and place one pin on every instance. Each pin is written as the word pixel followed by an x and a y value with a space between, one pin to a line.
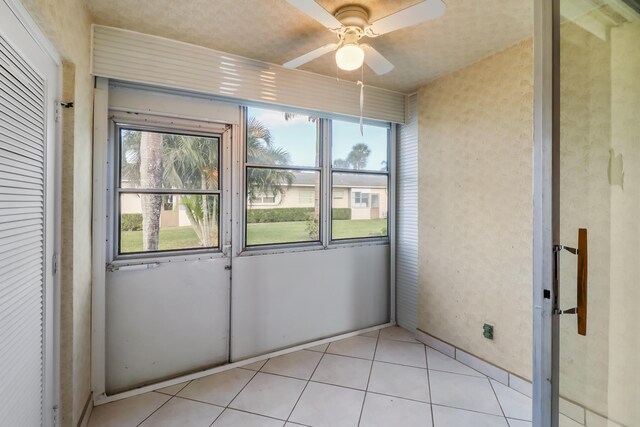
pixel 545 211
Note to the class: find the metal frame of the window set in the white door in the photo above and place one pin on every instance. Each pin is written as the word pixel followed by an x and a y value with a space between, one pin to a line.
pixel 170 127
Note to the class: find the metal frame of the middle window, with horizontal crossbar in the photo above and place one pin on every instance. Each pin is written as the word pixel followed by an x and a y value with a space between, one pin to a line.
pixel 319 168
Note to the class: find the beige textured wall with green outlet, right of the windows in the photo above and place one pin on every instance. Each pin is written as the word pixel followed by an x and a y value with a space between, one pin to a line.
pixel 475 213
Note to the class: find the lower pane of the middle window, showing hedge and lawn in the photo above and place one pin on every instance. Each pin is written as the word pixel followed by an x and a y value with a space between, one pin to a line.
pixel 294 215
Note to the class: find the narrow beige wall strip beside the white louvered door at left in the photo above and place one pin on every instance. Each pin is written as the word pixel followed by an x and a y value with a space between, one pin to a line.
pixel 67 25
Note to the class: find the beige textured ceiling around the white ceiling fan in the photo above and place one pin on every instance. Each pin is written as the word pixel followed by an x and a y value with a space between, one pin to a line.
pixel 274 31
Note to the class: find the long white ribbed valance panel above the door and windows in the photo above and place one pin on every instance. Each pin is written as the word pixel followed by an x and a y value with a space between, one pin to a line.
pixel 134 57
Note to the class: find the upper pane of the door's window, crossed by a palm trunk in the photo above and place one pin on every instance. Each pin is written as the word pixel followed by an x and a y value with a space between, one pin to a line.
pixel 154 160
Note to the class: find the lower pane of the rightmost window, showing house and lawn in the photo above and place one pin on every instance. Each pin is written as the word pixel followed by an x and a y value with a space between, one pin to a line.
pixel 362 212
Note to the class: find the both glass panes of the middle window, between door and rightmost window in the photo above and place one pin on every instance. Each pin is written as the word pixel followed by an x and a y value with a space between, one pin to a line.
pixel 282 166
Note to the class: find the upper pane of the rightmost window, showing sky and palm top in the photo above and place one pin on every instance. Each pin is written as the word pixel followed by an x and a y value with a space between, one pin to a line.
pixel 351 150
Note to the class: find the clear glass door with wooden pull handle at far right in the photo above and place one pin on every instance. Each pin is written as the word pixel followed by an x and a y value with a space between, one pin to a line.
pixel 598 249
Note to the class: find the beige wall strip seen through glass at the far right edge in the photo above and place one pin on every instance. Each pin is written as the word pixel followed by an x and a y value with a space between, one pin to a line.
pixel 624 334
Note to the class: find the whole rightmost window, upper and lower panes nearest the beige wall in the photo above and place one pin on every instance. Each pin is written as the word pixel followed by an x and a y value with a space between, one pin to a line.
pixel 359 167
